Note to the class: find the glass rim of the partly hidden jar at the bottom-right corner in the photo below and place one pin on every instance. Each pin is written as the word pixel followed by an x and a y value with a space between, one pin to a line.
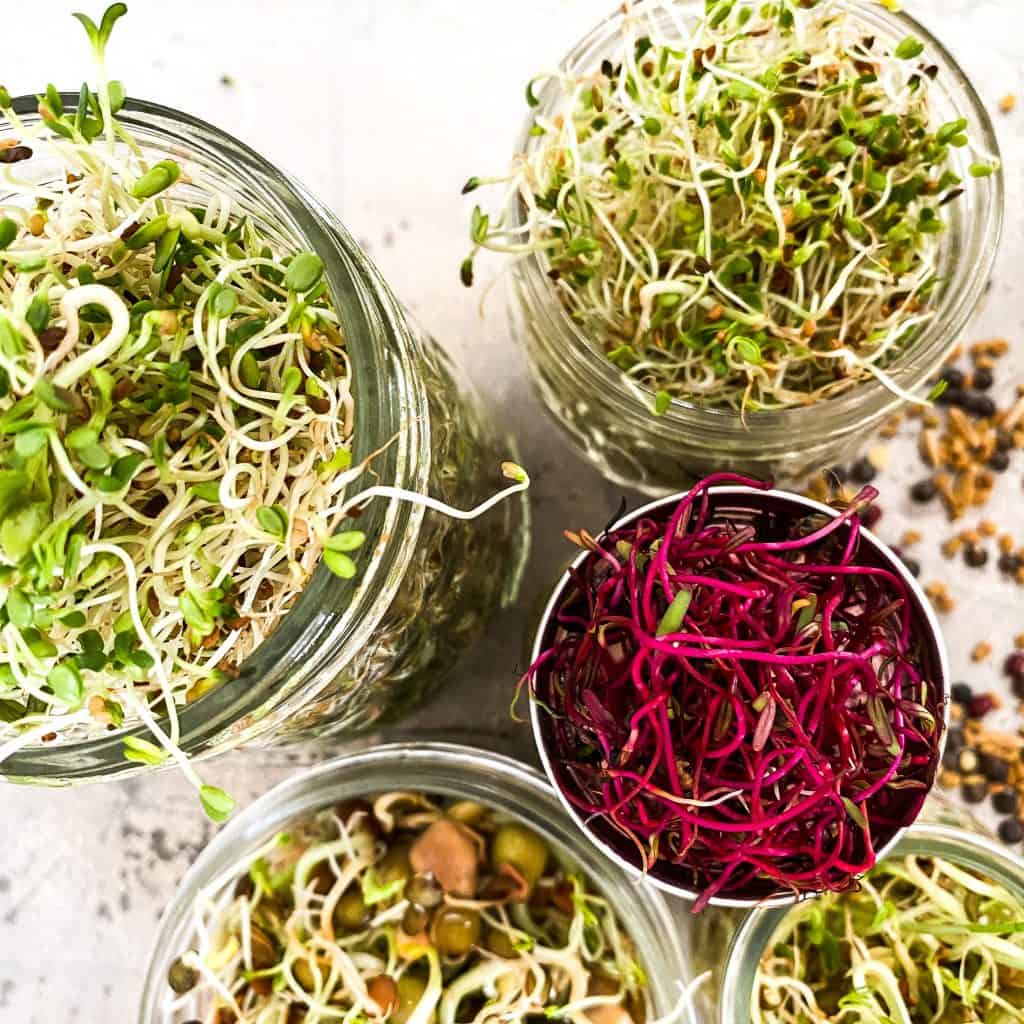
pixel 756 930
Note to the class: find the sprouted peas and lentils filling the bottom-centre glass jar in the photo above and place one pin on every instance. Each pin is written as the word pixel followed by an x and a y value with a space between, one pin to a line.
pixel 411 909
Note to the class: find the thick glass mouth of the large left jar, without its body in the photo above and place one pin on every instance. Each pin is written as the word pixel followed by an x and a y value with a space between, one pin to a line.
pixel 392 420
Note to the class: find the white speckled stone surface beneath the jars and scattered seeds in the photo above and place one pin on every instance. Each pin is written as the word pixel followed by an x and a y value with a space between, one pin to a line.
pixel 386 108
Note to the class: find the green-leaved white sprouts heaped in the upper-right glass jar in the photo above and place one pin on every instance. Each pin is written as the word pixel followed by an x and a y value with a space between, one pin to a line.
pixel 744 210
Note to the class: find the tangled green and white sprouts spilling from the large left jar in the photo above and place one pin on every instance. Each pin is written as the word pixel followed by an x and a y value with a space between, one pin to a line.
pixel 177 424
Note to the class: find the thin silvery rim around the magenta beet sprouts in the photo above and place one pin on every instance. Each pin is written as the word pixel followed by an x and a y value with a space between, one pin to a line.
pixel 936 657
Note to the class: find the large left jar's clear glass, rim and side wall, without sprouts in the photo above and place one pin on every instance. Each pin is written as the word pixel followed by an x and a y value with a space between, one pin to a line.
pixel 349 655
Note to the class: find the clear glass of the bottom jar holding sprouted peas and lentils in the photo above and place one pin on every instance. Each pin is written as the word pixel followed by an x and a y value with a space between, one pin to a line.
pixel 450 771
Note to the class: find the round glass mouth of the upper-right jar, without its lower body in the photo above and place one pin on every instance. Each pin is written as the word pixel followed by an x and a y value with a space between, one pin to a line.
pixel 967 257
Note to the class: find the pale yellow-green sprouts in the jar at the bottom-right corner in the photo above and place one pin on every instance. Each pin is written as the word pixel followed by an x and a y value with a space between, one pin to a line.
pixel 923 942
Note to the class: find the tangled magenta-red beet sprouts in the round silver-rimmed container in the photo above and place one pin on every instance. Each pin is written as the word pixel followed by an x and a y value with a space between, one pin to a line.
pixel 742 696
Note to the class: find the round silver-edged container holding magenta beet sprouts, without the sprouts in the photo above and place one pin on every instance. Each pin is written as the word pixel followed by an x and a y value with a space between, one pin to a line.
pixel 752 505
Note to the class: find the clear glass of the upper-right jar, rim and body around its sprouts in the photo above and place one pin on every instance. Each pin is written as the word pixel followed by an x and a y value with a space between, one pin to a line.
pixel 613 424
